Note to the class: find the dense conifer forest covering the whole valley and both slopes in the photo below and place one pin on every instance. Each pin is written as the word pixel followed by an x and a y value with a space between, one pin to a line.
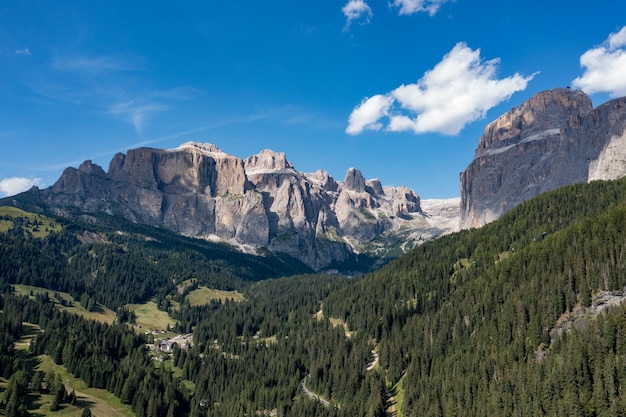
pixel 471 324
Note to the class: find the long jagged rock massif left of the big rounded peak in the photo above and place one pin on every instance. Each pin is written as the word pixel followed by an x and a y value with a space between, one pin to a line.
pixel 258 202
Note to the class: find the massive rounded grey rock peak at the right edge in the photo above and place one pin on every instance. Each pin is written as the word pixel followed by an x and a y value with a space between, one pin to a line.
pixel 554 139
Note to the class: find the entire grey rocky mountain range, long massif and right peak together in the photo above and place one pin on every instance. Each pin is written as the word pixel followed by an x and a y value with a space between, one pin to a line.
pixel 554 139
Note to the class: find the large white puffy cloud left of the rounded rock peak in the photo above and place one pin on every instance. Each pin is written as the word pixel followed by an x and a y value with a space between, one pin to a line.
pixel 458 90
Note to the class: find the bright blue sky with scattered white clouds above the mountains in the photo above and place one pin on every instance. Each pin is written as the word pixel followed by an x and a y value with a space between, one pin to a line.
pixel 401 89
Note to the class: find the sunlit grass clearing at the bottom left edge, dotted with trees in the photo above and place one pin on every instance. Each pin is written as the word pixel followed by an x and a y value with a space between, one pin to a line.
pixel 101 402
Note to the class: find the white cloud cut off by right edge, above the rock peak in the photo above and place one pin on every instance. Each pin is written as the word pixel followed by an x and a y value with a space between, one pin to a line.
pixel 605 67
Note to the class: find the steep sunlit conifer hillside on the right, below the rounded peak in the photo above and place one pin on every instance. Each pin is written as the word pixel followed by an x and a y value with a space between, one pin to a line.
pixel 466 320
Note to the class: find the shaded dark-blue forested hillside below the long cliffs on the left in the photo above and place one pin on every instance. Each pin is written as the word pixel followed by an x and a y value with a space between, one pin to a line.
pixel 115 262
